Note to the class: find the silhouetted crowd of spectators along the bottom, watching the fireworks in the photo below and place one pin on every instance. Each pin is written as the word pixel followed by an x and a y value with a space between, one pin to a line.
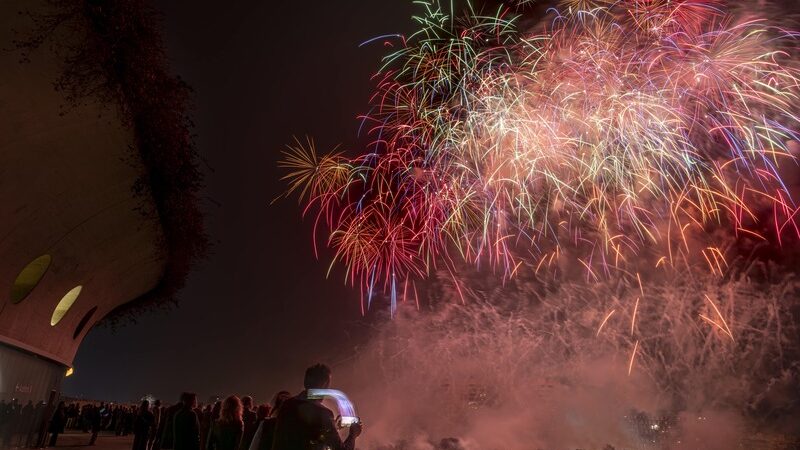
pixel 286 423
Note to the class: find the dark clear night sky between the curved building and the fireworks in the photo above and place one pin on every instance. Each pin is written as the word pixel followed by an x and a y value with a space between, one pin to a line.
pixel 259 309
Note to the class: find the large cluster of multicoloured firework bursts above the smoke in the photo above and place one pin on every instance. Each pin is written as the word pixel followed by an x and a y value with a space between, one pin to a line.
pixel 612 136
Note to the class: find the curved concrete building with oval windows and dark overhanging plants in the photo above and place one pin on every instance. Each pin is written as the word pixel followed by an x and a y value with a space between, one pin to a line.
pixel 98 181
